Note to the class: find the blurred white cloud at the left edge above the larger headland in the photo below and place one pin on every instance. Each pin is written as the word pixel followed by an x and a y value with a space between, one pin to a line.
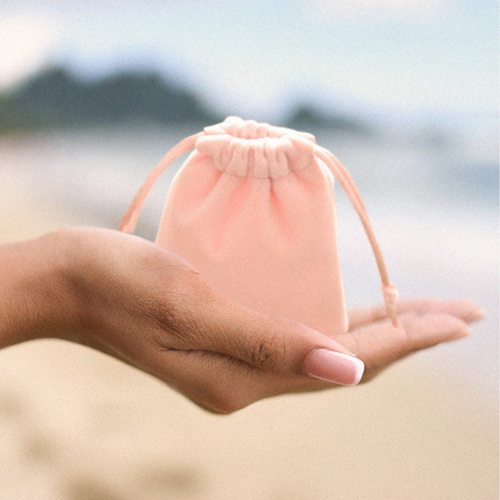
pixel 26 43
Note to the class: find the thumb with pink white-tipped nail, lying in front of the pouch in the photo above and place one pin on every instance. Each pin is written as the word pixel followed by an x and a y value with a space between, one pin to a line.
pixel 269 344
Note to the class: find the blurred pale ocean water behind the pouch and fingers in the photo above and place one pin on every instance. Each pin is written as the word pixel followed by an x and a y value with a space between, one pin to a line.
pixel 432 198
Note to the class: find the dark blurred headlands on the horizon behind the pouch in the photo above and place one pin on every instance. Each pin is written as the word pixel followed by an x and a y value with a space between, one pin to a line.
pixel 56 98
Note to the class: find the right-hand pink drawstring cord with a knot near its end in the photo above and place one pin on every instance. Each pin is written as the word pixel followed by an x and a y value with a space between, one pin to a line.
pixel 389 290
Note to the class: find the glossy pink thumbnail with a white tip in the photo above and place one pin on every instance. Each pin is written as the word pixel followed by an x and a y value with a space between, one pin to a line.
pixel 334 367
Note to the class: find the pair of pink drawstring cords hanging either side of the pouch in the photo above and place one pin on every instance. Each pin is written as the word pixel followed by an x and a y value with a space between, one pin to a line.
pixel 389 290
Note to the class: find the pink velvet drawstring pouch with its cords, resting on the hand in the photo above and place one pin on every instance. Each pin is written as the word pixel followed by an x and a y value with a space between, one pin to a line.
pixel 253 210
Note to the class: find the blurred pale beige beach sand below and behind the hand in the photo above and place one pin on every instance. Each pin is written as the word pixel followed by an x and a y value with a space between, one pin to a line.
pixel 78 425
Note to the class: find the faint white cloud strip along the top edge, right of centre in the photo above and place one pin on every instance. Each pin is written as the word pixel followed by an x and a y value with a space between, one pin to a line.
pixel 376 9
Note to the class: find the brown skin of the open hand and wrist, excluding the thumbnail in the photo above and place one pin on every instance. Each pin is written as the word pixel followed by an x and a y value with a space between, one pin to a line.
pixel 146 306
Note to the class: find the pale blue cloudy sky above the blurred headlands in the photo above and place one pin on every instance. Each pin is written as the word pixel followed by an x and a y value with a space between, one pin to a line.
pixel 255 55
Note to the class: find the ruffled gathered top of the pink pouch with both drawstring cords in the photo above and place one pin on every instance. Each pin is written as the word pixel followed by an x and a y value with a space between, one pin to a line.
pixel 245 147
